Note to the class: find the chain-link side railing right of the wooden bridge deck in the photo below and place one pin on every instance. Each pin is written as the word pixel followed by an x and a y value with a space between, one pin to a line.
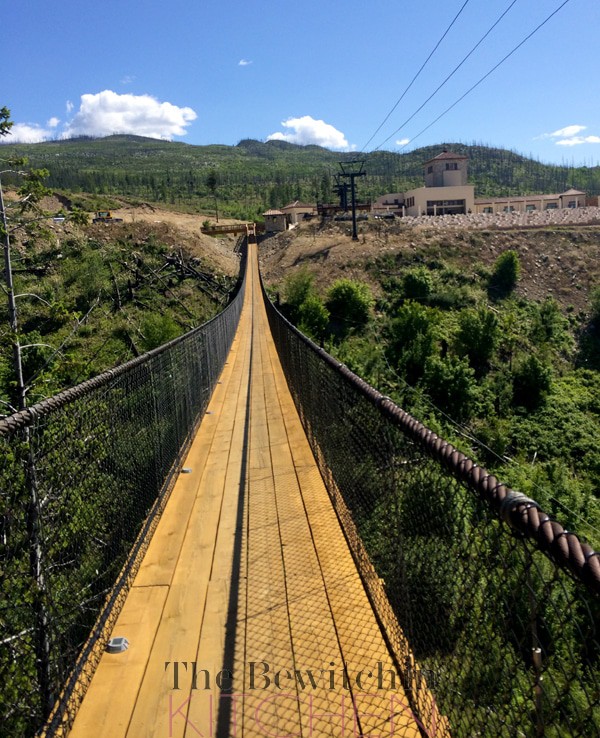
pixel 490 606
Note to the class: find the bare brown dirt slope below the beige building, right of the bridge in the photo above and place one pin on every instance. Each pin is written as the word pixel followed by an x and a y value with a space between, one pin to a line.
pixel 563 262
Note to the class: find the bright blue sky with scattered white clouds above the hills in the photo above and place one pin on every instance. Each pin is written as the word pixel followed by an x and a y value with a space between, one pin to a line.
pixel 325 72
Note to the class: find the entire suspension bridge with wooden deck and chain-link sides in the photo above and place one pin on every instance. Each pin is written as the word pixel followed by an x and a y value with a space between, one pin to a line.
pixel 234 535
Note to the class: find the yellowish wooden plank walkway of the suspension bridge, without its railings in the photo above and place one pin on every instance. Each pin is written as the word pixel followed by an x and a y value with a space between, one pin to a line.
pixel 248 575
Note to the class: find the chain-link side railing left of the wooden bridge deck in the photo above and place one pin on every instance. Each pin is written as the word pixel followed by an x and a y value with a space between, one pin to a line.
pixel 83 479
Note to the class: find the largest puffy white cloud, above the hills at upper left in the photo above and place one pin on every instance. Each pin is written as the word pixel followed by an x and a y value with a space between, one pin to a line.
pixel 107 112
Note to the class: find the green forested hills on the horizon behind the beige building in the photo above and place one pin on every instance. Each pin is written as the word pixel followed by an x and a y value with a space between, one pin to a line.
pixel 248 178
